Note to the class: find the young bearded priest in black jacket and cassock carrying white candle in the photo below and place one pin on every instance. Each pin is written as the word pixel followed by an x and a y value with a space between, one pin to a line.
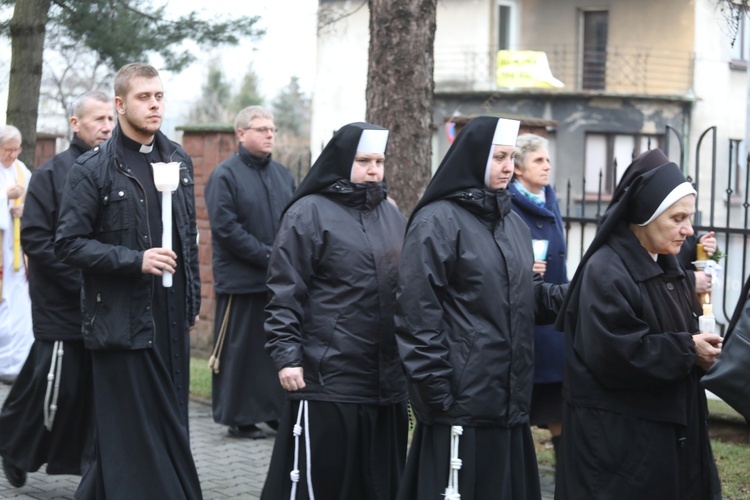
pixel 137 330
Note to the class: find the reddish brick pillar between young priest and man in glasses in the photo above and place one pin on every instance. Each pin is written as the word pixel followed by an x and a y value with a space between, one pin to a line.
pixel 207 146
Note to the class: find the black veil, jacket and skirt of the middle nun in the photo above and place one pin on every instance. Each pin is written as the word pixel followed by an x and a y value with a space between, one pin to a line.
pixel 466 308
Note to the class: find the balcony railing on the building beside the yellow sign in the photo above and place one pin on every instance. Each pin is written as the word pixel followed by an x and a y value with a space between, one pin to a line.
pixel 625 70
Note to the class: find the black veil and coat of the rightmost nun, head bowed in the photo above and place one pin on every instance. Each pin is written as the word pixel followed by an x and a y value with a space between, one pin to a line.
pixel 635 417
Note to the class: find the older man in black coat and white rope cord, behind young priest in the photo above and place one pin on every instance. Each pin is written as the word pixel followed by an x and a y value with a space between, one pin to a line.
pixel 46 421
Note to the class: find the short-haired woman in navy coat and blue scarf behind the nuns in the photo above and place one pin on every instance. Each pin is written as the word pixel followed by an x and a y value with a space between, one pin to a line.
pixel 535 201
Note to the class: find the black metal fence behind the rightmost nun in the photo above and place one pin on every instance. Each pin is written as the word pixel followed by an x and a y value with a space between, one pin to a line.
pixel 728 214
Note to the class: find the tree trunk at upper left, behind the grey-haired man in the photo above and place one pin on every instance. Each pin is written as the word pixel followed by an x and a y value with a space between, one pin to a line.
pixel 27 30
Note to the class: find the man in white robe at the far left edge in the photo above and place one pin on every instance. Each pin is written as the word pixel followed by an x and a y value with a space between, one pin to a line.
pixel 16 334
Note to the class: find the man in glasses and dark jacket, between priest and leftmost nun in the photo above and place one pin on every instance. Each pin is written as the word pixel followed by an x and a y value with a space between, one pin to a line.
pixel 245 196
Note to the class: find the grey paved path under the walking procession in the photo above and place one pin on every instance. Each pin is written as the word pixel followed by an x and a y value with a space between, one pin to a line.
pixel 228 467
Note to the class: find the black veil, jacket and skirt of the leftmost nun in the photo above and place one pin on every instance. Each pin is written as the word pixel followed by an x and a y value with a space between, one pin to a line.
pixel 332 279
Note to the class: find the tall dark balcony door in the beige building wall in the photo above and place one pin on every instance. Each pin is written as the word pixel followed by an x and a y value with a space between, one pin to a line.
pixel 594 50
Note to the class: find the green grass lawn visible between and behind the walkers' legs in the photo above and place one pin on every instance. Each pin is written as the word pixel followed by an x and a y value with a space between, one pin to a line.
pixel 730 438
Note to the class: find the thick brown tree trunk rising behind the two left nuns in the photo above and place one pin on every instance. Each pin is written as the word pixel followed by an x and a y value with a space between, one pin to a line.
pixel 400 89
